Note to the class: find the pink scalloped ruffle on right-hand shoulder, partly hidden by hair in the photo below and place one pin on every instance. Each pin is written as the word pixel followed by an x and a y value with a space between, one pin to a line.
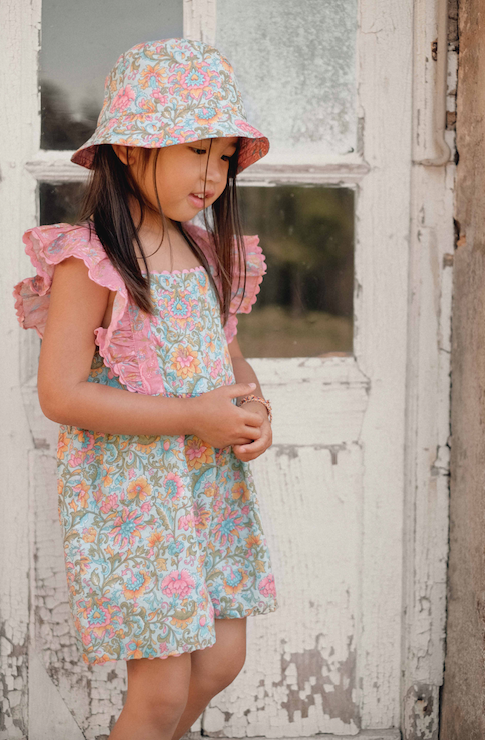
pixel 255 269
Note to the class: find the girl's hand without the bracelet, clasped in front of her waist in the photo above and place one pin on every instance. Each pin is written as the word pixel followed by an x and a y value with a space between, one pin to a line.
pixel 219 422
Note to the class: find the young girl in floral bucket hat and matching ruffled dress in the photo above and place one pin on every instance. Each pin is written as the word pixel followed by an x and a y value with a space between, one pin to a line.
pixel 140 365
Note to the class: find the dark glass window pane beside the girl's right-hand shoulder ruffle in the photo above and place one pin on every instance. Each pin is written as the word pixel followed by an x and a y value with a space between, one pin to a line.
pixel 305 306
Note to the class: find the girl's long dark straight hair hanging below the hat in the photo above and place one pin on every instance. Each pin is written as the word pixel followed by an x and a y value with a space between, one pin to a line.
pixel 105 208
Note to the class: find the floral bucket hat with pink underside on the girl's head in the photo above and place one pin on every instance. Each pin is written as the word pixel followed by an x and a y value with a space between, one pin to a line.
pixel 170 92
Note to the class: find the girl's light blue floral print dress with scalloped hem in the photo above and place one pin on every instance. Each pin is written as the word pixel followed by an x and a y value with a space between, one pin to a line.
pixel 162 534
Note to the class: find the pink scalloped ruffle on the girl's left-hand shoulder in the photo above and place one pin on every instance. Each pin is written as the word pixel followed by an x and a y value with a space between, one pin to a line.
pixel 125 345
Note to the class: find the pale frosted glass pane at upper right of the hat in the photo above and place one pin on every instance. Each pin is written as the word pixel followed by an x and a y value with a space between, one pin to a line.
pixel 296 66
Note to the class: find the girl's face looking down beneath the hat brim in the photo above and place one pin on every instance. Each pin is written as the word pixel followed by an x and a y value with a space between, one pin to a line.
pixel 180 175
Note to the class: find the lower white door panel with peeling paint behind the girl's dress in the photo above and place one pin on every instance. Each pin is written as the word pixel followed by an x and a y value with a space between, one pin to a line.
pixel 307 682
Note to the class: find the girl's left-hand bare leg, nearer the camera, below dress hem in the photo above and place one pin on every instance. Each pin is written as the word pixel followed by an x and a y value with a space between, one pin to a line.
pixel 156 698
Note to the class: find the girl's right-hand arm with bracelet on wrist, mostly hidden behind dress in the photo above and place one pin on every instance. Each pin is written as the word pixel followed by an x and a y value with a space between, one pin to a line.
pixel 244 373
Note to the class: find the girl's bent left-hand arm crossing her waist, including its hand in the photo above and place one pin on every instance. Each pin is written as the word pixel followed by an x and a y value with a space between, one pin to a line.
pixel 77 307
